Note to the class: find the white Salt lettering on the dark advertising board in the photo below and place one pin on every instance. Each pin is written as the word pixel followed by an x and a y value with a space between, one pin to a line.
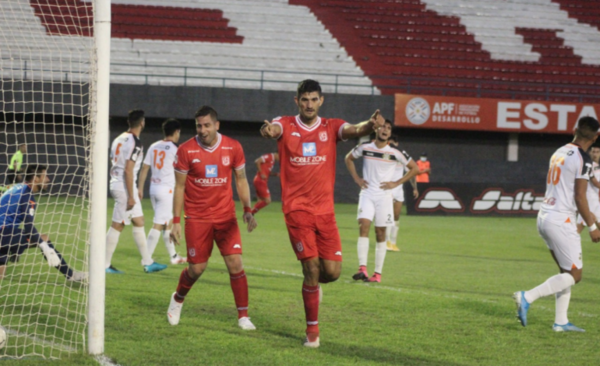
pixel 495 199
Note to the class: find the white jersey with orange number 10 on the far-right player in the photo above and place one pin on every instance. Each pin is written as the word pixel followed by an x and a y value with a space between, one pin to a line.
pixel 568 164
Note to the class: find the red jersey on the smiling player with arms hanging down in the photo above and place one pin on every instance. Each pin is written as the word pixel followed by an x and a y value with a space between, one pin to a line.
pixel 208 193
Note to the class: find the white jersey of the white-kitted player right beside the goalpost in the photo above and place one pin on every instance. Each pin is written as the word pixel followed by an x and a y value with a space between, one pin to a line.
pixel 125 147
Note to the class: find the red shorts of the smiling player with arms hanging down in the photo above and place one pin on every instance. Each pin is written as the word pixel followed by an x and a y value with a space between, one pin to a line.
pixel 200 236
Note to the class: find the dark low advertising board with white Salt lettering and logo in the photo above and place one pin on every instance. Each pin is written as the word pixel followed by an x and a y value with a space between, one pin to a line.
pixel 474 199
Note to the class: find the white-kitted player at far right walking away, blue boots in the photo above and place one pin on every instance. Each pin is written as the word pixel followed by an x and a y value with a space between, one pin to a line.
pixel 566 187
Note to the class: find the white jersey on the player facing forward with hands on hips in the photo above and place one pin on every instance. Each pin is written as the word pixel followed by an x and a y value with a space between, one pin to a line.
pixel 379 165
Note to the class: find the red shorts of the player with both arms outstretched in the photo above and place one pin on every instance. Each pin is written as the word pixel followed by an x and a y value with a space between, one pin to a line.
pixel 314 236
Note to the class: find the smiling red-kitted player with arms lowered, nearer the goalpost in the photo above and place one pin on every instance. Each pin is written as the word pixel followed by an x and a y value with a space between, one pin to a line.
pixel 203 169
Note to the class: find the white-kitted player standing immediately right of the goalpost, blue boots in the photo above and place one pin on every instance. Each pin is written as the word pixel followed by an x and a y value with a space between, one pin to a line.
pixel 126 155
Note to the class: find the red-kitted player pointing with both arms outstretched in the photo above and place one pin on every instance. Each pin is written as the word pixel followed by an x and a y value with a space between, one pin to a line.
pixel 307 153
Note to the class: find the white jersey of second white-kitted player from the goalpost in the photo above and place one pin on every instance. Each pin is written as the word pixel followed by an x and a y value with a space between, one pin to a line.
pixel 161 157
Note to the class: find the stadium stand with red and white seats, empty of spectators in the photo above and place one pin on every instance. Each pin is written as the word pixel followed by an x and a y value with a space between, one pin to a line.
pixel 534 49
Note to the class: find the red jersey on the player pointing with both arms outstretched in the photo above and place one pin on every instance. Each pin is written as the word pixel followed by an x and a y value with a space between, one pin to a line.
pixel 307 160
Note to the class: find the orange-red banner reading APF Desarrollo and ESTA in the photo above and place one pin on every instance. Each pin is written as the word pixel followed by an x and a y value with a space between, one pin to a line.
pixel 481 114
